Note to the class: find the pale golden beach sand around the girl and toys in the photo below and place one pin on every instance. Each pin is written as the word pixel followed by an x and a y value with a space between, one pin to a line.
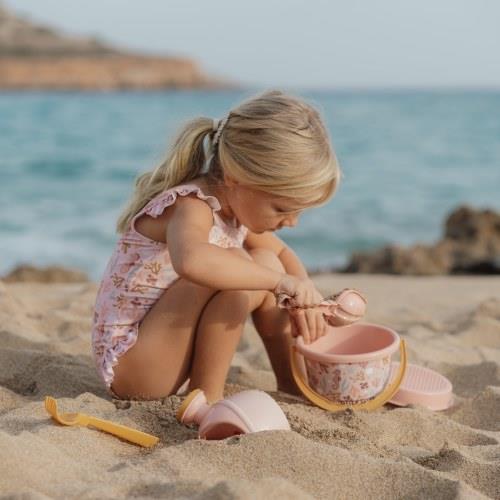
pixel 450 324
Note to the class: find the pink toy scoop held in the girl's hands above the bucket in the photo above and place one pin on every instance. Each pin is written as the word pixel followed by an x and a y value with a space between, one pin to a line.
pixel 341 309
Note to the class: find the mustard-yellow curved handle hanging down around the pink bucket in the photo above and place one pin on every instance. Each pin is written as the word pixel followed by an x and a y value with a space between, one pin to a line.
pixel 370 405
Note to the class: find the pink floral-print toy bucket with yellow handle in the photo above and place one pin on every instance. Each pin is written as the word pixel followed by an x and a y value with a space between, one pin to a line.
pixel 349 365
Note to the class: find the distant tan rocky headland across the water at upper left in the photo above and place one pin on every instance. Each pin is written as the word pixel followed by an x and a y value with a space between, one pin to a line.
pixel 33 56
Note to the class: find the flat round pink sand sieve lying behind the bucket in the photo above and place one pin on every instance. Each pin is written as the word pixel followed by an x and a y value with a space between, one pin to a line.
pixel 422 386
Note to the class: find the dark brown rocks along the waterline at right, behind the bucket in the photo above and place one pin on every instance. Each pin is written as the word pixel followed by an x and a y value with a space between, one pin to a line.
pixel 471 245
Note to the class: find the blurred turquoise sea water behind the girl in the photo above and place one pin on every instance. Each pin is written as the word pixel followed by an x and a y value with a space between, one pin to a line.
pixel 68 162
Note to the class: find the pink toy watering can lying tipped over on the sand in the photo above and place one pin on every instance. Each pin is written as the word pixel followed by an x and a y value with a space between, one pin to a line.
pixel 242 413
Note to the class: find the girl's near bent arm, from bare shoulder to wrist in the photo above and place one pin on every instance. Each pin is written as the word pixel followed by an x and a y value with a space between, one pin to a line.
pixel 188 226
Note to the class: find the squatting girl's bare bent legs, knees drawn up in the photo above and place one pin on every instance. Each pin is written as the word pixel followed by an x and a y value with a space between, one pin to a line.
pixel 162 357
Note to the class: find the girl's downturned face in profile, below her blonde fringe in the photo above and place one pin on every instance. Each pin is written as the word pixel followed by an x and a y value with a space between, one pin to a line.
pixel 260 211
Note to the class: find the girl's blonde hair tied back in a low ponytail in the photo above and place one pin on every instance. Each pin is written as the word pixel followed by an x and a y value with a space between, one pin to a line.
pixel 273 142
